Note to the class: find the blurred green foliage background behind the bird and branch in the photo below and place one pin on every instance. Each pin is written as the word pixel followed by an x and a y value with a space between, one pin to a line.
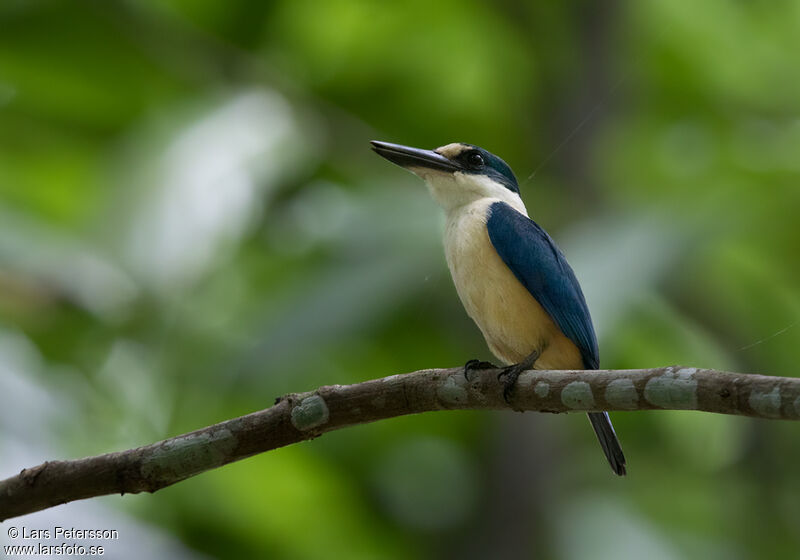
pixel 192 223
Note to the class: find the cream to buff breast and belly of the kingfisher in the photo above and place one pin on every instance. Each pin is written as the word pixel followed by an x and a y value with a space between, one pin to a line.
pixel 511 320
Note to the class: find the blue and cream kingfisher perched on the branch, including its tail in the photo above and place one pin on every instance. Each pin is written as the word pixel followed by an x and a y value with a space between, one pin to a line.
pixel 512 279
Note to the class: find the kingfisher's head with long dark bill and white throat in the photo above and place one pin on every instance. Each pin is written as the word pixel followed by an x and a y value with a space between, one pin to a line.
pixel 457 174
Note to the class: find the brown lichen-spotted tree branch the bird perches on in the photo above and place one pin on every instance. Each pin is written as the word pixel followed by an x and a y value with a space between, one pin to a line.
pixel 303 416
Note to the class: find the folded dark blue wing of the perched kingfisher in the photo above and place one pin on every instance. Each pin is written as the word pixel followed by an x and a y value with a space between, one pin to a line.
pixel 540 266
